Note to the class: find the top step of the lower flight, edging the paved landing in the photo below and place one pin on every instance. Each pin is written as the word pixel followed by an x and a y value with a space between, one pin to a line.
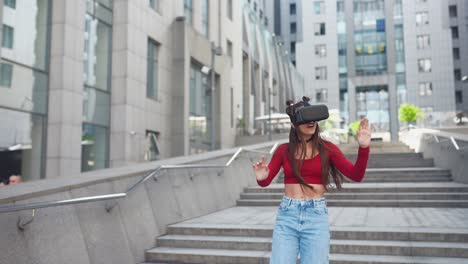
pixel 339 233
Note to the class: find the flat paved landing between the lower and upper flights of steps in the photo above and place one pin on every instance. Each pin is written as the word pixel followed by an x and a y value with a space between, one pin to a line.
pixel 401 218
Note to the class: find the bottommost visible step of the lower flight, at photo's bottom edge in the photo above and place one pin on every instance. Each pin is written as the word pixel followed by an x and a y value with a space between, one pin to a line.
pixel 220 256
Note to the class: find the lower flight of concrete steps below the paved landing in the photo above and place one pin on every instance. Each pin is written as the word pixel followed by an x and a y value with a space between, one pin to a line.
pixel 244 244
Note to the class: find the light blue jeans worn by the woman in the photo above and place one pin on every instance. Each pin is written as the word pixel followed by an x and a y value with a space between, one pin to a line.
pixel 301 228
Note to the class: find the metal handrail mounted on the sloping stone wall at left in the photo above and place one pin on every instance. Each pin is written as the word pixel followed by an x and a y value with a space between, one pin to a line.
pixel 153 174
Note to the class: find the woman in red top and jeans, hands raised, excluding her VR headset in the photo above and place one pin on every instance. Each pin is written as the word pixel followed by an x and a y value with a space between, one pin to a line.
pixel 310 164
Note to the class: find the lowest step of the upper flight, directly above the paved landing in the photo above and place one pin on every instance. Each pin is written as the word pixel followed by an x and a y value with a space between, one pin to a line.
pixel 368 203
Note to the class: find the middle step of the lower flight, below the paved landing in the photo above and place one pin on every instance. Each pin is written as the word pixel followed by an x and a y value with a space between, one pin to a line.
pixel 400 248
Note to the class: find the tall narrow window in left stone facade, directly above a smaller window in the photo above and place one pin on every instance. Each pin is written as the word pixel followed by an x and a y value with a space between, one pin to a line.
pixel 152 70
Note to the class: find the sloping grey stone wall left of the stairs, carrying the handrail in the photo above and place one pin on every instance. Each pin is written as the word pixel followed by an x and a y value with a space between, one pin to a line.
pixel 87 233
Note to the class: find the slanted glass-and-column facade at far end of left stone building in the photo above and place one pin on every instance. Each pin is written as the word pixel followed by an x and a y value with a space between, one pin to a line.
pixel 269 77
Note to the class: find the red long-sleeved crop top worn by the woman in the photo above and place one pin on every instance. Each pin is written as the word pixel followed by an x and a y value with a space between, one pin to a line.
pixel 312 169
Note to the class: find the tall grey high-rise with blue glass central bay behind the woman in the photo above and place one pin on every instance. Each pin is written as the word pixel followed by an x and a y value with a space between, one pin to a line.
pixel 367 57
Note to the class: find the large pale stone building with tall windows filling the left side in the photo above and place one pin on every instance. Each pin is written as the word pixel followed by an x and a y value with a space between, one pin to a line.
pixel 92 84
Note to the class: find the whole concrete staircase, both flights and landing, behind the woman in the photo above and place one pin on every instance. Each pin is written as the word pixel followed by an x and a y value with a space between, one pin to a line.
pixel 391 194
